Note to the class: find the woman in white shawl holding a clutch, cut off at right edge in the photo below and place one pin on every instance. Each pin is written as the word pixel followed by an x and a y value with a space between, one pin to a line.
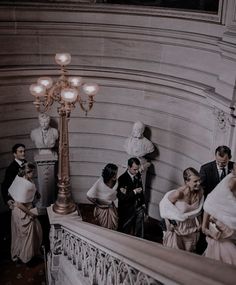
pixel 219 220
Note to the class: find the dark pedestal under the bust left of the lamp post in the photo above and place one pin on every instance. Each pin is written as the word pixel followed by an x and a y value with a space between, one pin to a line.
pixel 46 162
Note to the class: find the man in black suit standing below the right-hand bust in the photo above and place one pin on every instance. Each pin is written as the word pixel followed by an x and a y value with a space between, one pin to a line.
pixel 131 201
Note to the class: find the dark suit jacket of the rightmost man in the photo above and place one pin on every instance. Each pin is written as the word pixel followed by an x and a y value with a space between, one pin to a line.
pixel 210 175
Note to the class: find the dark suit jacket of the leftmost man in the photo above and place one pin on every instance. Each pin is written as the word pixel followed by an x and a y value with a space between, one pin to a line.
pixel 11 172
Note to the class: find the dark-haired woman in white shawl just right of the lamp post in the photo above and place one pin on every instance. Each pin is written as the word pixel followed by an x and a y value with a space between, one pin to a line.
pixel 103 195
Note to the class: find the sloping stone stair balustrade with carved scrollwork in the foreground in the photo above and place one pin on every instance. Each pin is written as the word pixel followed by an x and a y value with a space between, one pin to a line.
pixel 82 253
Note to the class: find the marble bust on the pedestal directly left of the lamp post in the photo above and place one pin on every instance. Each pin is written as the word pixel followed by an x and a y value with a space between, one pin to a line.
pixel 44 137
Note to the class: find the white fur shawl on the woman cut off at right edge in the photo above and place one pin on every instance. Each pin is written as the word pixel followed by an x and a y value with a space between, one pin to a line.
pixel 221 203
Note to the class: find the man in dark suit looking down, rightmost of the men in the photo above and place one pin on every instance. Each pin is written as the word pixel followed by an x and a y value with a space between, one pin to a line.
pixel 213 172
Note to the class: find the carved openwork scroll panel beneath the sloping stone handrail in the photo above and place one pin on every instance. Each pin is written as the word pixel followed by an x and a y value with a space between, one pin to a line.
pixel 96 265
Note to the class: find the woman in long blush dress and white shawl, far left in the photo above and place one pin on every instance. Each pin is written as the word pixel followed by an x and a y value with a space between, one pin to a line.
pixel 25 227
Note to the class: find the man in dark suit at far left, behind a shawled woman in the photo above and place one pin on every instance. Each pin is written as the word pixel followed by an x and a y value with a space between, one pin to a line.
pixel 12 170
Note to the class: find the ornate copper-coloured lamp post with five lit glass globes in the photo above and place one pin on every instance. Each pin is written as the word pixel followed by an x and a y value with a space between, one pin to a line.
pixel 66 91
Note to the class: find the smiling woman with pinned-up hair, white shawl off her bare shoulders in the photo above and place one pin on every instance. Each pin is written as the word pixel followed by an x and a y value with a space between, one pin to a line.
pixel 181 209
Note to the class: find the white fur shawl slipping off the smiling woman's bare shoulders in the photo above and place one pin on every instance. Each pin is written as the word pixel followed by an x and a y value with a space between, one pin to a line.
pixel 170 211
